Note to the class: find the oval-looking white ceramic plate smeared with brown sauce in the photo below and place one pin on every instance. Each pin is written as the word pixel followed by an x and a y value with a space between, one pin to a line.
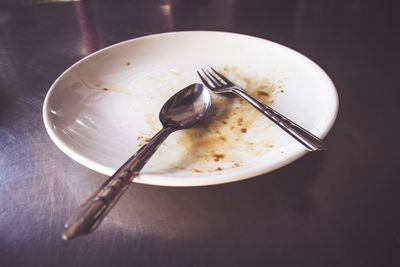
pixel 100 110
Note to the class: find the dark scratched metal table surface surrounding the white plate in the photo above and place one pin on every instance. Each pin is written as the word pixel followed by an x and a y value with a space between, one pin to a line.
pixel 334 208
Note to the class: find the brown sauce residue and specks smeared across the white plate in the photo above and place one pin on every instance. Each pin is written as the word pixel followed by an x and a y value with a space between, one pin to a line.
pixel 231 130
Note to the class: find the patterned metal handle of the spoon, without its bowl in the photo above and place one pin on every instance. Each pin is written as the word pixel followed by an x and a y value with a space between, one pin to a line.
pixel 90 214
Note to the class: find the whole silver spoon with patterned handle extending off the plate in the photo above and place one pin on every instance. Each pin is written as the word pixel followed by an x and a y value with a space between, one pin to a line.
pixel 183 110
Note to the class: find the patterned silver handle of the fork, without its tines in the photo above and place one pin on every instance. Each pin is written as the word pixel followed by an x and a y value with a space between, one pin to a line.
pixel 310 141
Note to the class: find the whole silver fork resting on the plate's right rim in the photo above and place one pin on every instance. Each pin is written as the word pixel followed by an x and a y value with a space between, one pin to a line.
pixel 218 83
